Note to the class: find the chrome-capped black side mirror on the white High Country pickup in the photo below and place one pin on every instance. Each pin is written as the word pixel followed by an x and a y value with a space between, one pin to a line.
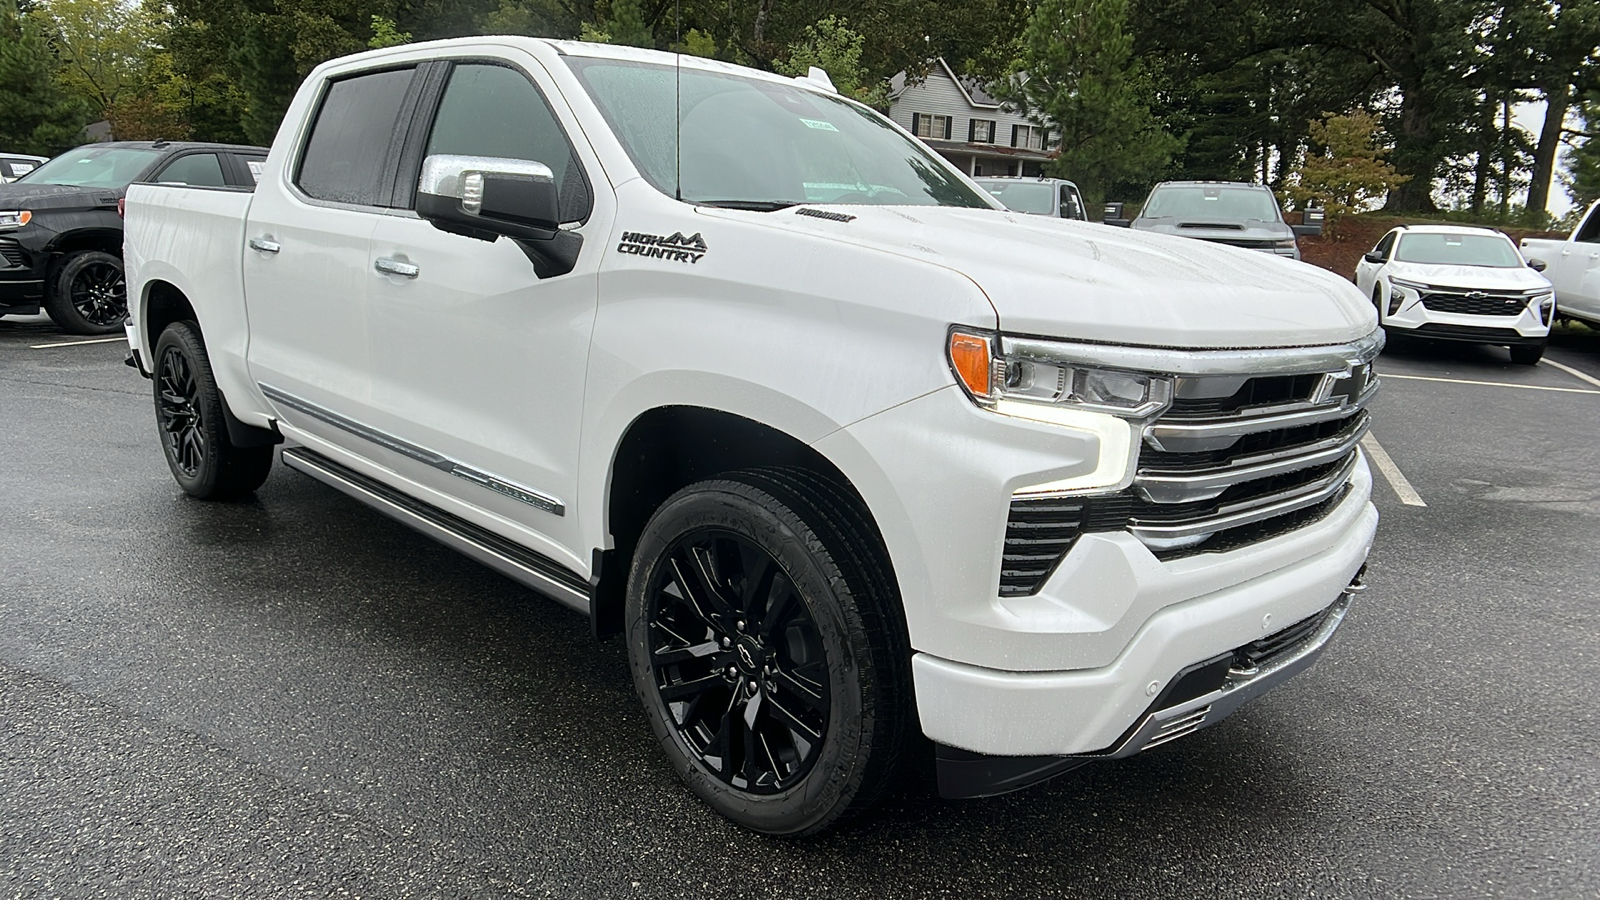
pixel 489 198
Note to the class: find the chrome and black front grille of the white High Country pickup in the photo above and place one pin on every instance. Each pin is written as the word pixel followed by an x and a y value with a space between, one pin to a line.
pixel 1233 462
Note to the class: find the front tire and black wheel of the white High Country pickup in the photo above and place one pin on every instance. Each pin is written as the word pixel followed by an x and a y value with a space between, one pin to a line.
pixel 769 651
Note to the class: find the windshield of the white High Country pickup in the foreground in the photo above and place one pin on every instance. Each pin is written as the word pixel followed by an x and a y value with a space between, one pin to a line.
pixel 762 145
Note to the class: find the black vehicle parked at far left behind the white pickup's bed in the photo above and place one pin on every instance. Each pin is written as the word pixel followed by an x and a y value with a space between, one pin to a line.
pixel 62 231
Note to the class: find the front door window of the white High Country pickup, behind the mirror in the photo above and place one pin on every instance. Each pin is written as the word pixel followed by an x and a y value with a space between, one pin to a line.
pixel 495 111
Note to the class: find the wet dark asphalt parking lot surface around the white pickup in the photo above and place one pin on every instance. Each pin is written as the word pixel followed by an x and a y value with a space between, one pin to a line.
pixel 297 697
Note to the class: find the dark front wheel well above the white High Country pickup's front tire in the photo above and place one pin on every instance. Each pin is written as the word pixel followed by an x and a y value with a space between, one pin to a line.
pixel 673 448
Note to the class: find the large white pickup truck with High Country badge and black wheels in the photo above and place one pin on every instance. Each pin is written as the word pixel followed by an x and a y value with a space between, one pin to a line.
pixel 738 369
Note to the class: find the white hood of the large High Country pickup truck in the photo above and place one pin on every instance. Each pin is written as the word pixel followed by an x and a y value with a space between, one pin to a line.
pixel 1094 283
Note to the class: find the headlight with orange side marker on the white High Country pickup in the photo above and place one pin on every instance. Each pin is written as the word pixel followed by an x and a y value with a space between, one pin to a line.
pixel 1042 379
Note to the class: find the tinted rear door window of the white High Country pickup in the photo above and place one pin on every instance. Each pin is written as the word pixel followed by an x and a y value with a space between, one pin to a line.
pixel 351 140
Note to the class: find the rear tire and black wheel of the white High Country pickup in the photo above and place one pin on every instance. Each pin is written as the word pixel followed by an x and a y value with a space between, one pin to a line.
pixel 191 417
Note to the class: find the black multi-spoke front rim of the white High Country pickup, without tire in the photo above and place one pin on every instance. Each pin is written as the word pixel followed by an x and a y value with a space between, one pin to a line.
pixel 738 662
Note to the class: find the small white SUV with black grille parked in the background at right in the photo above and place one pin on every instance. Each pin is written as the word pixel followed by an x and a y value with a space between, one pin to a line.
pixel 1458 284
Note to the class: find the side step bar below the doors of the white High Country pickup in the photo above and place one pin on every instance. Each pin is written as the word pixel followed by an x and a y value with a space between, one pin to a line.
pixel 502 555
